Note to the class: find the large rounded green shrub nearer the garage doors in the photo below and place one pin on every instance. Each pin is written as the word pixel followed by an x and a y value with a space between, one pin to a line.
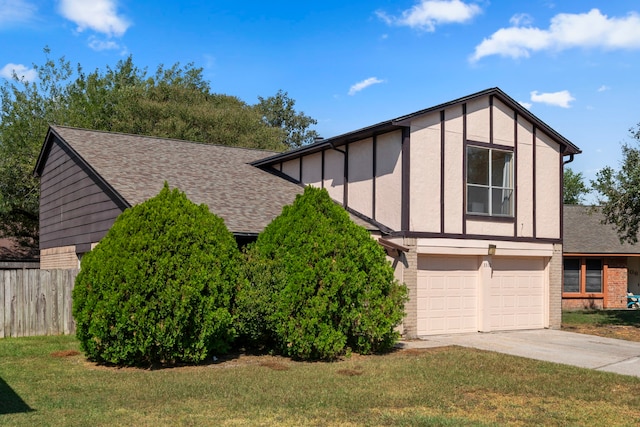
pixel 317 285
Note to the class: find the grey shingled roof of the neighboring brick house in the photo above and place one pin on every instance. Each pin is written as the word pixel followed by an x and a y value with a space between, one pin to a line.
pixel 584 233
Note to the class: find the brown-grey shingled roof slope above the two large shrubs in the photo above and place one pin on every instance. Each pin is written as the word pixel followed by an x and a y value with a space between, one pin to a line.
pixel 135 168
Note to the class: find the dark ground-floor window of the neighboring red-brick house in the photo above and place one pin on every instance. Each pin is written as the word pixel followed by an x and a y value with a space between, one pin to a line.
pixel 582 276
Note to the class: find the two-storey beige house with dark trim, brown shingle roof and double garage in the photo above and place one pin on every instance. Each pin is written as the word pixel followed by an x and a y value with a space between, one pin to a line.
pixel 466 196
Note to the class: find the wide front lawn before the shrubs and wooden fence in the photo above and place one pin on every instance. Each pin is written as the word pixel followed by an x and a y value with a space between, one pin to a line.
pixel 45 381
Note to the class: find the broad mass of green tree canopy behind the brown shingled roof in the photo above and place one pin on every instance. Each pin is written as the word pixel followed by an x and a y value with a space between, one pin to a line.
pixel 174 102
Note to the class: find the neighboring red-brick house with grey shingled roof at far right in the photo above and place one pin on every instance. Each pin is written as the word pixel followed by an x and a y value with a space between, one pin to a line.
pixel 598 269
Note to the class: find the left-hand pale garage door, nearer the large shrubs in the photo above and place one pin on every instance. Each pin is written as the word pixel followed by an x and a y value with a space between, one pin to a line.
pixel 447 295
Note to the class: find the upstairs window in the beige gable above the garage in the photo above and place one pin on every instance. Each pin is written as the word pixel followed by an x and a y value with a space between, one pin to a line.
pixel 489 182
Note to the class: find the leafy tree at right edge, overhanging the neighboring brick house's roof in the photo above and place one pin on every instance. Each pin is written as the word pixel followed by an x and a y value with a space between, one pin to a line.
pixel 619 192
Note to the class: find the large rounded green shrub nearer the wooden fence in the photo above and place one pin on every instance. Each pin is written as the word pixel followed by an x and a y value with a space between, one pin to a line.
pixel 159 286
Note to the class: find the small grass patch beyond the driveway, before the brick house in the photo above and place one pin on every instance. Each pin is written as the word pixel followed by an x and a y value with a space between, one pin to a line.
pixel 621 324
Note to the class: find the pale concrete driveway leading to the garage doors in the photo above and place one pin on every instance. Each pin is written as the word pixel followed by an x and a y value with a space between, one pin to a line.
pixel 569 348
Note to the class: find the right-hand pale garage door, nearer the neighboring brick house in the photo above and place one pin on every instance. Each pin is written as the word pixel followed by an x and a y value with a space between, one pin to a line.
pixel 516 294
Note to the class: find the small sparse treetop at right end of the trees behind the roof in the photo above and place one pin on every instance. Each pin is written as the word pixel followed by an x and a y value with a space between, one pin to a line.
pixel 277 111
